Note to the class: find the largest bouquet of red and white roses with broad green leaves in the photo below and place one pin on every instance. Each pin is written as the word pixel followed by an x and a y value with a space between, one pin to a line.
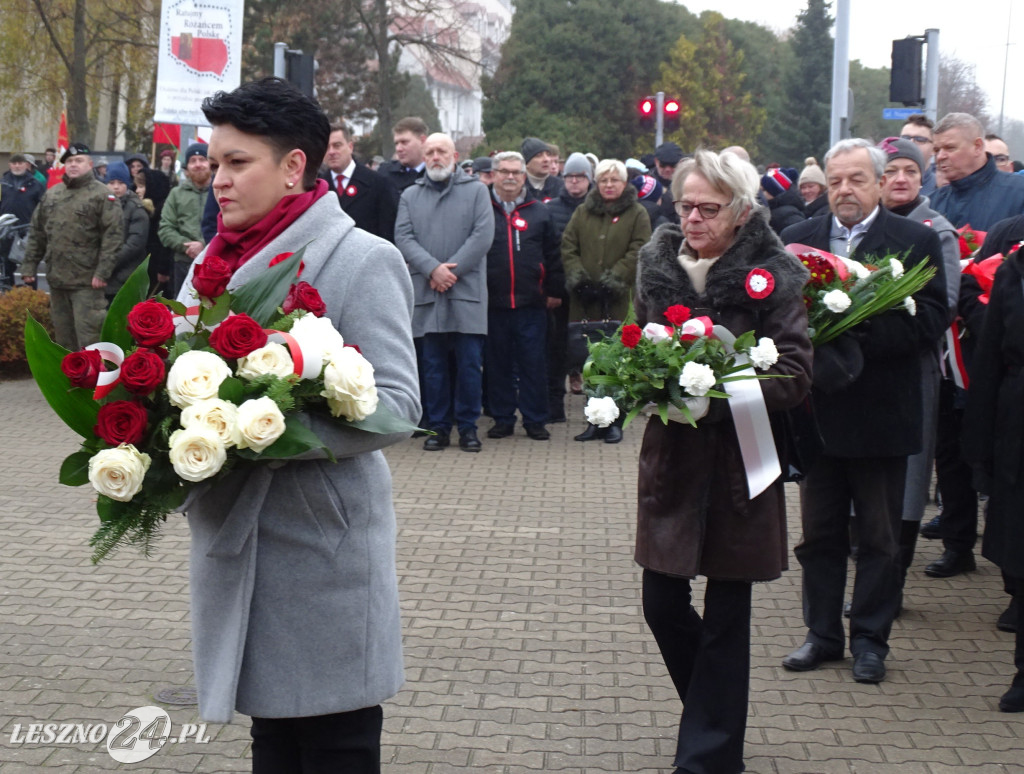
pixel 175 396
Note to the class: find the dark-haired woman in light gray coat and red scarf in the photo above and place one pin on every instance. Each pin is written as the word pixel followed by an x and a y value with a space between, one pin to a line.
pixel 294 590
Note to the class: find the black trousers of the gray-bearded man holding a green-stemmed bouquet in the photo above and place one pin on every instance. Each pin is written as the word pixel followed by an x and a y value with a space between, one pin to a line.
pixel 876 488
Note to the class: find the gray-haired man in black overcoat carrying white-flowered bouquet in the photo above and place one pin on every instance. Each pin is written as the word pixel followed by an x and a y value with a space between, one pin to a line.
pixel 867 403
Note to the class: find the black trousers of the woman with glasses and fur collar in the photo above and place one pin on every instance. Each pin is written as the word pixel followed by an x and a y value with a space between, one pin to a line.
pixel 709 661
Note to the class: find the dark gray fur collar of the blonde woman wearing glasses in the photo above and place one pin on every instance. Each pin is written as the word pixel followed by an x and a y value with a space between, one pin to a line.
pixel 662 282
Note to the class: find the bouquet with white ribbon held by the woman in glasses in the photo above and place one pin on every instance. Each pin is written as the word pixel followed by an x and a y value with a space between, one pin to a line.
pixel 675 367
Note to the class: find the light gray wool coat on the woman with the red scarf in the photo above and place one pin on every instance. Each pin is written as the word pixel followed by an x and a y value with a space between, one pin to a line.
pixel 294 589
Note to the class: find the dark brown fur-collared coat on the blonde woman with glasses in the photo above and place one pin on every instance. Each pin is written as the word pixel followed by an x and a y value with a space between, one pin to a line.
pixel 695 515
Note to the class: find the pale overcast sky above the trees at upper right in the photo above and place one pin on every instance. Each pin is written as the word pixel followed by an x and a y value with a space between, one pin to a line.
pixel 974 31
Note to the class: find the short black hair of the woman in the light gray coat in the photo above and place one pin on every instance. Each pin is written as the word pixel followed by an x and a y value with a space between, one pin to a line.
pixel 278 112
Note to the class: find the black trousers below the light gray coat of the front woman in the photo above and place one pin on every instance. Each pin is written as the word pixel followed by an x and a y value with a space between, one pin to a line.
pixel 339 744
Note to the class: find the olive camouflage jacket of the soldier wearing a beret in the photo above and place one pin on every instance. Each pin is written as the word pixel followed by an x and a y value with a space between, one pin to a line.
pixel 78 231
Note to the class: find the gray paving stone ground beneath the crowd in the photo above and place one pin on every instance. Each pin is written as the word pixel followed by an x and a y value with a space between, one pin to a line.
pixel 526 648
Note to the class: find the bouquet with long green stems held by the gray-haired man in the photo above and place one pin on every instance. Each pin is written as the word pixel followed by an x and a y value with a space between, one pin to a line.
pixel 842 293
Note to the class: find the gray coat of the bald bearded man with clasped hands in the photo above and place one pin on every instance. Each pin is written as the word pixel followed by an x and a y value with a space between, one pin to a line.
pixel 452 226
